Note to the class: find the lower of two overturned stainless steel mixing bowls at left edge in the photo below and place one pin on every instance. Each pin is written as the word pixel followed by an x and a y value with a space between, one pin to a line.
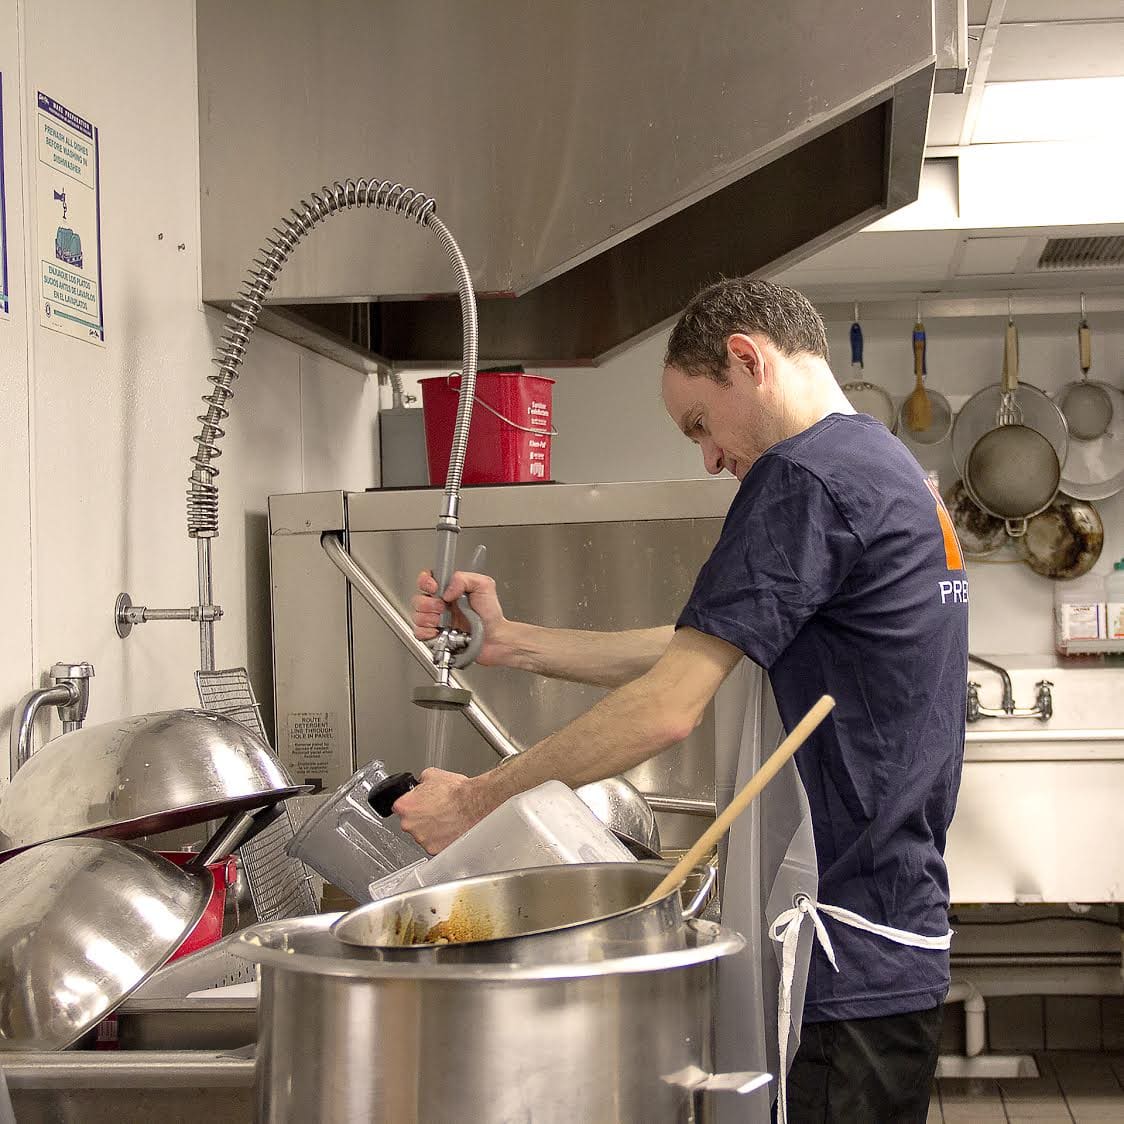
pixel 84 922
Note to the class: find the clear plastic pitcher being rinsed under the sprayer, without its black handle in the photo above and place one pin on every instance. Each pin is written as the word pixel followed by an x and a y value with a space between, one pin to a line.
pixel 348 845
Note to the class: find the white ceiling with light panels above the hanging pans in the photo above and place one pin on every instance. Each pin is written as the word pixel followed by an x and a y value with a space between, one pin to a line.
pixel 990 166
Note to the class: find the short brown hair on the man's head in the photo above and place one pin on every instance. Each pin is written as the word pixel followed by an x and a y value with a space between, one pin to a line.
pixel 748 306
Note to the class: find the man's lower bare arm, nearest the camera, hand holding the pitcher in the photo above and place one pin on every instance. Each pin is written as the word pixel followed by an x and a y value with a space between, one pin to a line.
pixel 629 727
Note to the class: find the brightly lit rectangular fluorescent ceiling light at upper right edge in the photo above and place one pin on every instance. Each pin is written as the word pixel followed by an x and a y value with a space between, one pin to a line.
pixel 1062 110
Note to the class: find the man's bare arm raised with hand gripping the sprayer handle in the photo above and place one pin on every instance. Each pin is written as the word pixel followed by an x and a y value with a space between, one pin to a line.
pixel 601 659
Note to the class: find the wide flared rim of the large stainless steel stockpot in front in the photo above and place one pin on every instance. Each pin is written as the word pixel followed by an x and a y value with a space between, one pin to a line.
pixel 264 945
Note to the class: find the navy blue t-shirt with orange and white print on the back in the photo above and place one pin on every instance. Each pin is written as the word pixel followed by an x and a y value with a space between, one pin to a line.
pixel 838 572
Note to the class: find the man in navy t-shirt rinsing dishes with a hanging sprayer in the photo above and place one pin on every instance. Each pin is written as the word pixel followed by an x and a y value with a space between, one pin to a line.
pixel 838 572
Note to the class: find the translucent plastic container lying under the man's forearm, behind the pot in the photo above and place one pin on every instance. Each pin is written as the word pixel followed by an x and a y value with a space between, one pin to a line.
pixel 541 828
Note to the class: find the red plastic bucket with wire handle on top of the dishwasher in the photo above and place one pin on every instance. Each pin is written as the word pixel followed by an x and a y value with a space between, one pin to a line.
pixel 510 441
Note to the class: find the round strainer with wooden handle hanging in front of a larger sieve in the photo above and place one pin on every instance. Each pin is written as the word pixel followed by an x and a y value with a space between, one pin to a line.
pixel 1013 470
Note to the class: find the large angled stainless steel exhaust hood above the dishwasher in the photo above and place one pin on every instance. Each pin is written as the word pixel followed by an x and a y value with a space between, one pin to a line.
pixel 600 160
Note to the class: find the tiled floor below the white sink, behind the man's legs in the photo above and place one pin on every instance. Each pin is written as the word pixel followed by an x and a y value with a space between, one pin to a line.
pixel 1075 1087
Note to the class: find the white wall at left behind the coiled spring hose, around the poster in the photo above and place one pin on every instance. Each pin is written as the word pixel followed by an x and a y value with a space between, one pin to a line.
pixel 97 441
